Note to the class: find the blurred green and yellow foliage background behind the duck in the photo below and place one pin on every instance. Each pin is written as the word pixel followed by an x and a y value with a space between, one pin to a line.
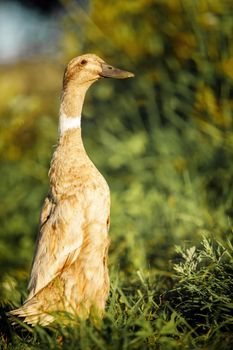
pixel 163 140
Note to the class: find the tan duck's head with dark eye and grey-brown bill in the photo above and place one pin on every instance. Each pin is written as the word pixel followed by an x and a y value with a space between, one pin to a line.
pixel 88 68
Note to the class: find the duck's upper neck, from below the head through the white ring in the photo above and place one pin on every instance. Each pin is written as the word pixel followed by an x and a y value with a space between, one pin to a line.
pixel 71 108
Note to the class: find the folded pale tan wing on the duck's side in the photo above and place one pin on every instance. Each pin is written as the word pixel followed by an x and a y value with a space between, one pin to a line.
pixel 59 241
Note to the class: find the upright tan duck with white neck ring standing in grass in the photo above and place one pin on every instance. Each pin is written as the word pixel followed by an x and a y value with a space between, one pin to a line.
pixel 70 266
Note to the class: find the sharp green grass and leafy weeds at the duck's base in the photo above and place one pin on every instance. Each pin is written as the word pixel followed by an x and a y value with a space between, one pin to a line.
pixel 188 308
